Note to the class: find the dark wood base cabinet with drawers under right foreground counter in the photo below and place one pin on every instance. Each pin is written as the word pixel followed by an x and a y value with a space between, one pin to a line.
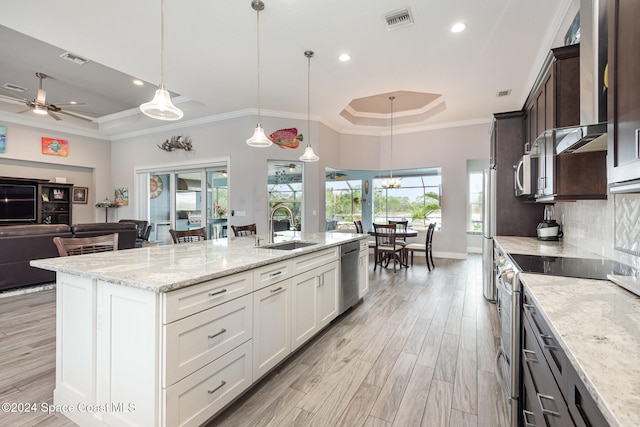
pixel 552 393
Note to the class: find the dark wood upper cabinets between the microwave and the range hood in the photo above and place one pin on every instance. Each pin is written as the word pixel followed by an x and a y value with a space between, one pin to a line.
pixel 554 103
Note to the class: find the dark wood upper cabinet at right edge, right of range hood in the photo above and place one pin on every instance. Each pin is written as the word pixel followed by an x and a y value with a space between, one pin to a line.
pixel 624 91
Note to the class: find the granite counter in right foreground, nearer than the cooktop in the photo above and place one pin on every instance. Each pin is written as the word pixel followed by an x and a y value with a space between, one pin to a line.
pixel 598 326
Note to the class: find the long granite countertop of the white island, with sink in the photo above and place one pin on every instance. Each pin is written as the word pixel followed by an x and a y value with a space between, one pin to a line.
pixel 170 267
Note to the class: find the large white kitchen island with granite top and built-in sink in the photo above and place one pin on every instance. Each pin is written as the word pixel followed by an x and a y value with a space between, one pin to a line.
pixel 170 335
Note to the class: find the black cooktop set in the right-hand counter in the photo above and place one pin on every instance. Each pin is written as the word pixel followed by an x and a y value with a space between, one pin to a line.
pixel 572 267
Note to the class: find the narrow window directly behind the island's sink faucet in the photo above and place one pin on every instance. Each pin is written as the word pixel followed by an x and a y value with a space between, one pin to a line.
pixel 284 186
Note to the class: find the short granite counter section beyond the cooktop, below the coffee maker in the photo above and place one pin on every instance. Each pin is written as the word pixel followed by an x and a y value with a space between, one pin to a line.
pixel 533 246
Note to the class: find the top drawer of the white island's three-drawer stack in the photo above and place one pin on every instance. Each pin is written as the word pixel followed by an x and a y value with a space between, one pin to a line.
pixel 193 299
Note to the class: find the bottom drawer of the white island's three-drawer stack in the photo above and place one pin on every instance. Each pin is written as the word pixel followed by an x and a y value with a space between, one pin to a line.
pixel 198 397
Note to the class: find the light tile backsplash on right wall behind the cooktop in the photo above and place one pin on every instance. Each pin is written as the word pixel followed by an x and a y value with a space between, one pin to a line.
pixel 610 227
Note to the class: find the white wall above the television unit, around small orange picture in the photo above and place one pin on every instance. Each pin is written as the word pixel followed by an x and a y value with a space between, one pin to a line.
pixel 87 165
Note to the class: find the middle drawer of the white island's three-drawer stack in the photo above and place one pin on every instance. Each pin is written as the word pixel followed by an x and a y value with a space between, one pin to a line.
pixel 193 342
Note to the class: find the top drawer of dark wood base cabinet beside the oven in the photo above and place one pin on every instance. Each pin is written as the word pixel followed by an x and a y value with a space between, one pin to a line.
pixel 554 355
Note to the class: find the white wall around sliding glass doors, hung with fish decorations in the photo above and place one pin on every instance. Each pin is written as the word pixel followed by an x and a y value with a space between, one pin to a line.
pixel 247 167
